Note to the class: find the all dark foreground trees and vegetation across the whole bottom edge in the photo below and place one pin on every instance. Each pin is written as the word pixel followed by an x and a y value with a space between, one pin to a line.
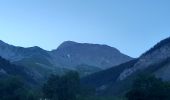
pixel 68 87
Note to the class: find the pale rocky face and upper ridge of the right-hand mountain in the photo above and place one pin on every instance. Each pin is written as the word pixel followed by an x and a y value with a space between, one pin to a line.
pixel 160 53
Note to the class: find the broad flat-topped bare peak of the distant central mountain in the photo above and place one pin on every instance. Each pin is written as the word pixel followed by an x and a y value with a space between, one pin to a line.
pixel 70 54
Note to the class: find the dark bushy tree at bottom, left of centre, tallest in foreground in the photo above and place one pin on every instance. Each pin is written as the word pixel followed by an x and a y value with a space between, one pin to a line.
pixel 64 87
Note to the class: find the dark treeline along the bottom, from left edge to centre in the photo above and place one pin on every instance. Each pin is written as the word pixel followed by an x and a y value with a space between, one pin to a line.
pixel 65 87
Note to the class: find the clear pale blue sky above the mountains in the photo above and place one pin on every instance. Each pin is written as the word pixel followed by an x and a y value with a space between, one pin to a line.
pixel 132 26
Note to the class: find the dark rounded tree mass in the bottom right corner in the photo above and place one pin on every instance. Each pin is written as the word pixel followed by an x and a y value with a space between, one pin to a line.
pixel 148 87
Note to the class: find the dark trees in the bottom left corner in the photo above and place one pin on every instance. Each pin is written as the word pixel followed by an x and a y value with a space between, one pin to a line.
pixel 13 88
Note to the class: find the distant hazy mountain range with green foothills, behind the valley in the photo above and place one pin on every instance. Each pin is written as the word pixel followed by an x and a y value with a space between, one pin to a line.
pixel 82 57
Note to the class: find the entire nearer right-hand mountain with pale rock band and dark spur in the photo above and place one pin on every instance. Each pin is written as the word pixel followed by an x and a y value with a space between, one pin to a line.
pixel 117 80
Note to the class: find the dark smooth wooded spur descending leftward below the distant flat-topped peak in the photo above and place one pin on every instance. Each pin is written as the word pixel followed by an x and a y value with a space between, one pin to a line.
pixel 107 76
